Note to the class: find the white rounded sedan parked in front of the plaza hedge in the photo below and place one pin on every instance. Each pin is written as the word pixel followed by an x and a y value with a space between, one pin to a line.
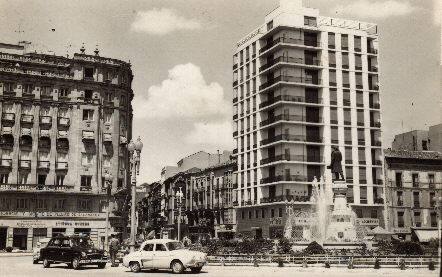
pixel 164 254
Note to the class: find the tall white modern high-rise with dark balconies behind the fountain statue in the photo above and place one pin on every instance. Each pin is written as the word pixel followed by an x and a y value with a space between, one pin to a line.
pixel 303 83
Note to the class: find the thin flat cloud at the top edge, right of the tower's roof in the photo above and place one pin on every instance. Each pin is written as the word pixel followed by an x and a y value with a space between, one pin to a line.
pixel 376 9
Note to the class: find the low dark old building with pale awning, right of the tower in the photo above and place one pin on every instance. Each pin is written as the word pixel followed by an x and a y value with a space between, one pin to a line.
pixel 413 179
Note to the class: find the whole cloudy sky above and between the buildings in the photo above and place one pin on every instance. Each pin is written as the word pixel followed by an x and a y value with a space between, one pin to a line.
pixel 181 56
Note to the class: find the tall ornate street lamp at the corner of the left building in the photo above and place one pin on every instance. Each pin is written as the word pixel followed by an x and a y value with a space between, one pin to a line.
pixel 134 149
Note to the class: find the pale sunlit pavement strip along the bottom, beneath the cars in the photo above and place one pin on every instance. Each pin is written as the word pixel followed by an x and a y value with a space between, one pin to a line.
pixel 22 266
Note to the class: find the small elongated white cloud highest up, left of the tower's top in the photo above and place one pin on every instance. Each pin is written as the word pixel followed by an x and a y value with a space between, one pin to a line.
pixel 162 21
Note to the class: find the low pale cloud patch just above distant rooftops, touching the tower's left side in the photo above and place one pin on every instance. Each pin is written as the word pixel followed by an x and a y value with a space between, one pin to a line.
pixel 218 134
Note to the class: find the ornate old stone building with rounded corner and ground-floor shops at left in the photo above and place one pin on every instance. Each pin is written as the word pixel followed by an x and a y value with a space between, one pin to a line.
pixel 64 126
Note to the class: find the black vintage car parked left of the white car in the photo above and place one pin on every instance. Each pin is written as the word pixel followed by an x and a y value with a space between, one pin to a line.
pixel 75 251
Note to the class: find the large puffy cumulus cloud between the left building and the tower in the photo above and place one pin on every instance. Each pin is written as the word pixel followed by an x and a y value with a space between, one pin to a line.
pixel 184 95
